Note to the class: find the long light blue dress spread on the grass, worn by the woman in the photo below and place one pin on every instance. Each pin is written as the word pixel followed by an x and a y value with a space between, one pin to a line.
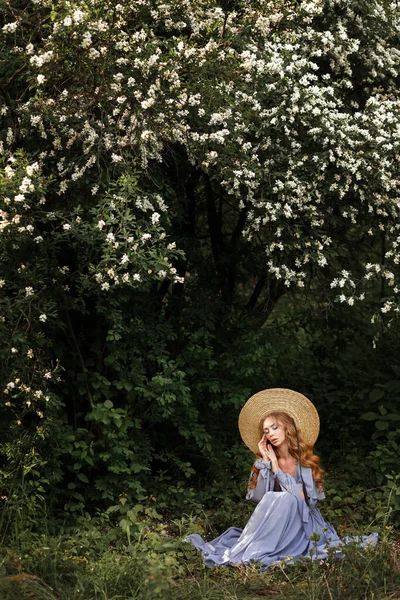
pixel 280 527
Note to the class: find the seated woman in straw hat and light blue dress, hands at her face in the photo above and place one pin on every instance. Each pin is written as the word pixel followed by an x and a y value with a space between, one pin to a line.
pixel 280 426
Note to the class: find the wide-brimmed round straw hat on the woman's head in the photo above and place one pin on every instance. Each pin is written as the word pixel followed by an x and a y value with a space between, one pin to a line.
pixel 296 405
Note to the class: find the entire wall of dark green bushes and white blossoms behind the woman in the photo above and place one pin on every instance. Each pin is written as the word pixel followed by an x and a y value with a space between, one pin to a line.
pixel 186 189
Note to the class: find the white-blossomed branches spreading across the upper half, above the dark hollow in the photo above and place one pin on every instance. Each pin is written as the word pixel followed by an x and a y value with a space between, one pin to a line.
pixel 269 101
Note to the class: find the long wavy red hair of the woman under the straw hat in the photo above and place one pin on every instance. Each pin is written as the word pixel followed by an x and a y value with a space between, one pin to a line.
pixel 308 458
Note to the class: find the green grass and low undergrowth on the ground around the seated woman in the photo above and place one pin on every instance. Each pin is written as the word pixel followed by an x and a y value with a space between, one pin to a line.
pixel 137 553
